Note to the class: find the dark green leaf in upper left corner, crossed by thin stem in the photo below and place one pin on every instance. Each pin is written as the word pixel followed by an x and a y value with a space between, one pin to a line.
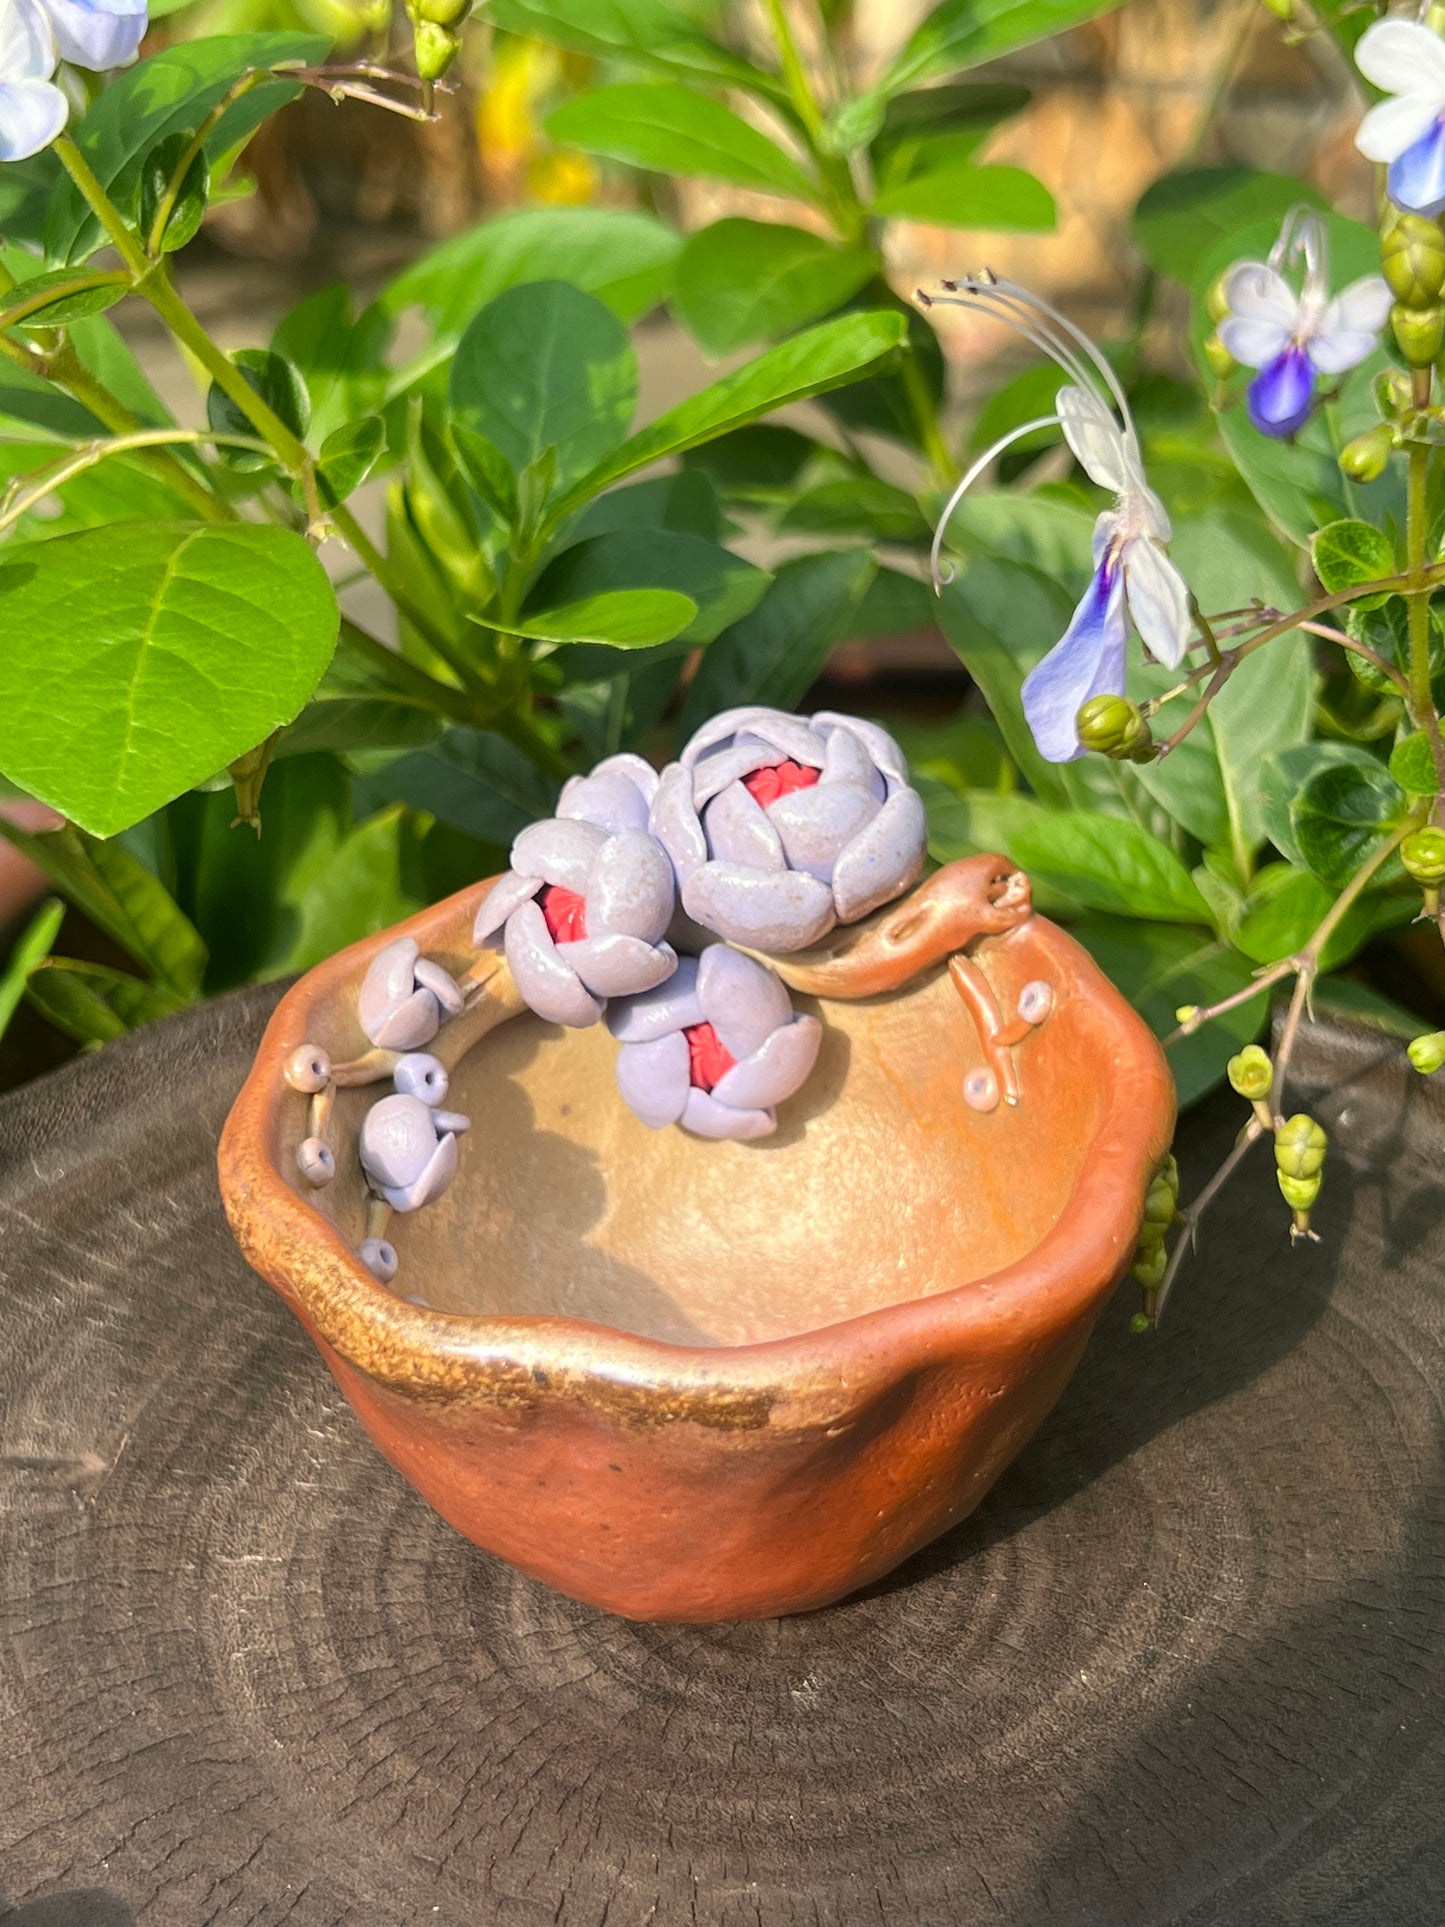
pixel 171 93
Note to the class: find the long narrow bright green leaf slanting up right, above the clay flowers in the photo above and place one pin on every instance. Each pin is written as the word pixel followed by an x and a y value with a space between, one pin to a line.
pixel 806 365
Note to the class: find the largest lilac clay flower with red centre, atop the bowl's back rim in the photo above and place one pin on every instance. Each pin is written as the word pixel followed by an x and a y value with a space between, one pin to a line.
pixel 781 826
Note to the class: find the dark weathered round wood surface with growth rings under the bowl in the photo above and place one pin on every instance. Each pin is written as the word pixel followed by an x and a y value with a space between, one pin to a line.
pixel 1188 1664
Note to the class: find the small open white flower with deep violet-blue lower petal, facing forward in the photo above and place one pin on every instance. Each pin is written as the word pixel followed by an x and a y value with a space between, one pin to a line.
pixel 1296 338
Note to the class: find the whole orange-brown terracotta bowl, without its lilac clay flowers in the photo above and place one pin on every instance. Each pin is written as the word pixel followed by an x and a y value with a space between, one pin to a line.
pixel 696 1381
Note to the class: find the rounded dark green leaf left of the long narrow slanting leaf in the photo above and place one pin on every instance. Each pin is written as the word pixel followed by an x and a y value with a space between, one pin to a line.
pixel 546 367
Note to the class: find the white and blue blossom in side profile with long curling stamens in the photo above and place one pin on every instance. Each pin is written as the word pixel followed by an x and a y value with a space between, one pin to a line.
pixel 1134 577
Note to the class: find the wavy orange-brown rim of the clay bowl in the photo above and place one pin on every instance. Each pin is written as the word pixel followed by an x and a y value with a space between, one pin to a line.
pixel 793 1381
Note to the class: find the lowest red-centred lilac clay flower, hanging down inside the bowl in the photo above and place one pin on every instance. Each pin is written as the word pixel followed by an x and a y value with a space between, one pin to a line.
pixel 714 1049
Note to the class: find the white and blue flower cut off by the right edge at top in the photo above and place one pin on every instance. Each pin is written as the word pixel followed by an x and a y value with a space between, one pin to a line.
pixel 1407 134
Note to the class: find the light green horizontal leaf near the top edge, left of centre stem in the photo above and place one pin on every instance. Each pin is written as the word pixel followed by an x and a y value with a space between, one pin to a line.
pixel 675 130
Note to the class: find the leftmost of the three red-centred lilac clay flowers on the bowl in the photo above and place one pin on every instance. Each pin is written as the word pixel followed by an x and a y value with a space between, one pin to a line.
pixel 589 899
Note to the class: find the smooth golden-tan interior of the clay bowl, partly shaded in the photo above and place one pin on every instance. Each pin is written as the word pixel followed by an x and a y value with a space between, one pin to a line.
pixel 880 1186
